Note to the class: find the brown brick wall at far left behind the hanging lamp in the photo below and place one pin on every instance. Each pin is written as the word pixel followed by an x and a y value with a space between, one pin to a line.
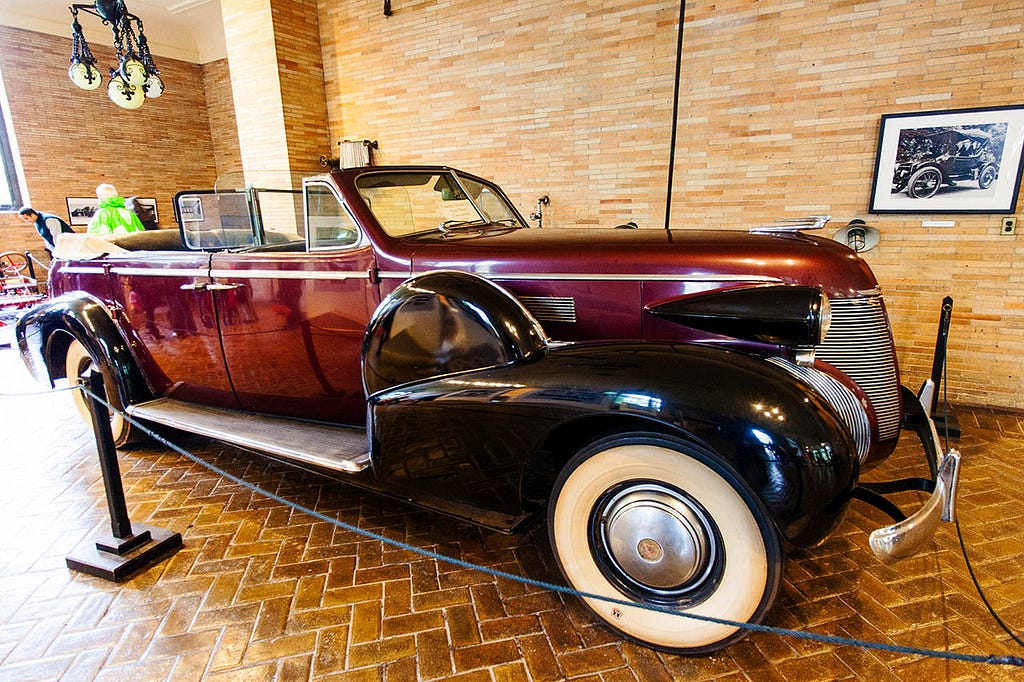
pixel 71 141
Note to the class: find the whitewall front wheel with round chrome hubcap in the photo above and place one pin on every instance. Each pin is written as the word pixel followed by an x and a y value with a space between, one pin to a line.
pixel 654 521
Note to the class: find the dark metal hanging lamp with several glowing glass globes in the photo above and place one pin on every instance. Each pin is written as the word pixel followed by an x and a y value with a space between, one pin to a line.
pixel 137 77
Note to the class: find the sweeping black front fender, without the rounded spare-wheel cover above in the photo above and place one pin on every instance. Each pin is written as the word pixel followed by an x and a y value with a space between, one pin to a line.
pixel 482 432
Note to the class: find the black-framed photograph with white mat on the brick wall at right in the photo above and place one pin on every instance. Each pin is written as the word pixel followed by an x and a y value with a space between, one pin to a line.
pixel 966 161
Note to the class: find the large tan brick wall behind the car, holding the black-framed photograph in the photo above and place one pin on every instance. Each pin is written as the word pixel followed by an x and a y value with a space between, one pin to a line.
pixel 779 118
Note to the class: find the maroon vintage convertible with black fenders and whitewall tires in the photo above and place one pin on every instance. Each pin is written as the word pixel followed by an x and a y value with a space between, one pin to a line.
pixel 680 406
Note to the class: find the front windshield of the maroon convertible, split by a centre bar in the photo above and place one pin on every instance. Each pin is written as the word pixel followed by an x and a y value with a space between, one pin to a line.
pixel 416 203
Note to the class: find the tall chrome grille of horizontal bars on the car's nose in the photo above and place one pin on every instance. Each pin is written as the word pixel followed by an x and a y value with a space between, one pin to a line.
pixel 859 344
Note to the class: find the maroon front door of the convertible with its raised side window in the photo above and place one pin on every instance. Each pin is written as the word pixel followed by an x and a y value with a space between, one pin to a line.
pixel 292 322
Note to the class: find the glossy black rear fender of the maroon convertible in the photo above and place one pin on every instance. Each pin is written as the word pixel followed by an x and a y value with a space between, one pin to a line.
pixel 45 333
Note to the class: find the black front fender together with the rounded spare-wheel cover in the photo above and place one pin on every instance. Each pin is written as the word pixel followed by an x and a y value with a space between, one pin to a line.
pixel 493 430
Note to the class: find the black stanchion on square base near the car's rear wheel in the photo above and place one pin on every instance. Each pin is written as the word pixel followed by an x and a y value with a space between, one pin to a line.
pixel 131 547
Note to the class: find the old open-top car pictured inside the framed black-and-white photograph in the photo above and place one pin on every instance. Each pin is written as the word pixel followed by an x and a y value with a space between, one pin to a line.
pixel 930 158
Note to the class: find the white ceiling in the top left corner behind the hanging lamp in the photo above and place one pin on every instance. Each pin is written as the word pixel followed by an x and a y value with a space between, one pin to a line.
pixel 189 30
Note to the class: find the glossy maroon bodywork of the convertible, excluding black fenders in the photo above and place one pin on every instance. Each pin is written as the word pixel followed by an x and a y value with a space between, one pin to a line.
pixel 581 284
